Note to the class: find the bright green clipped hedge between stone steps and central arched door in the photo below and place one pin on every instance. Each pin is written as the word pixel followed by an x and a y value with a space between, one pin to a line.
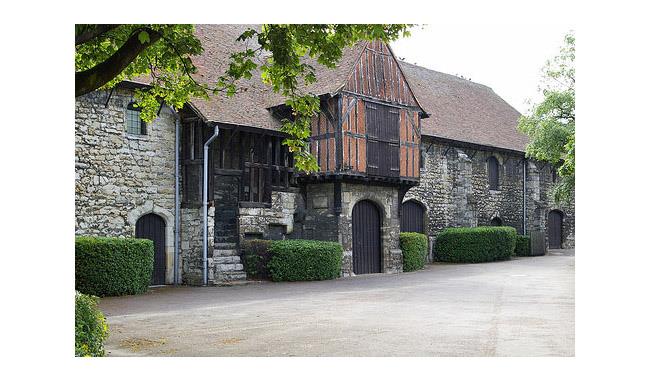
pixel 304 260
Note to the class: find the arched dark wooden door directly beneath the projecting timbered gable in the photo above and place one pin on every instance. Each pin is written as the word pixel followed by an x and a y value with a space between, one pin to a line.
pixel 366 238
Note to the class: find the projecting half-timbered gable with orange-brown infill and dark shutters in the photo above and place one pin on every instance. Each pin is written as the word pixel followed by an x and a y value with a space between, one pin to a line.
pixel 370 126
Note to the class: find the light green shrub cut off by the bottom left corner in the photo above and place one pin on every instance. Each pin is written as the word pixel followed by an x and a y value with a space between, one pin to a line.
pixel 90 328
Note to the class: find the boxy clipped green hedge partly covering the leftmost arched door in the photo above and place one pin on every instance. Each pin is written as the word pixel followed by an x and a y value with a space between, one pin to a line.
pixel 112 266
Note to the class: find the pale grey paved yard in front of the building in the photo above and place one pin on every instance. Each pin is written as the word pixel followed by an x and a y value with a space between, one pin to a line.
pixel 522 307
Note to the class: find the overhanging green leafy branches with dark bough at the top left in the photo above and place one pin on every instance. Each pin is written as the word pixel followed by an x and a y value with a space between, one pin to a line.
pixel 108 54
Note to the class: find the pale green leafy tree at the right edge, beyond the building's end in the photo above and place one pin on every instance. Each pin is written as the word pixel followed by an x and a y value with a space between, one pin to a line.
pixel 550 125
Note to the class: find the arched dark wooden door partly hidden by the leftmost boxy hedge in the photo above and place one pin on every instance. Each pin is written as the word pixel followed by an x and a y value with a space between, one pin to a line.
pixel 152 227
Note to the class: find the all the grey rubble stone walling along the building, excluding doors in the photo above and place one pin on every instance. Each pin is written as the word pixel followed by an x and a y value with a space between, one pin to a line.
pixel 120 177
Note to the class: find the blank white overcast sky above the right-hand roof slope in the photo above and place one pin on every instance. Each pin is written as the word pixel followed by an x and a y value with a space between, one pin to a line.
pixel 507 58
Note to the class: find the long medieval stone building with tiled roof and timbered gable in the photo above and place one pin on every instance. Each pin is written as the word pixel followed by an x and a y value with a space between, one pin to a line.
pixel 400 147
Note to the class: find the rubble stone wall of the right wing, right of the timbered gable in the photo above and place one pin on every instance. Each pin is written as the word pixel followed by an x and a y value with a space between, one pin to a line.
pixel 454 188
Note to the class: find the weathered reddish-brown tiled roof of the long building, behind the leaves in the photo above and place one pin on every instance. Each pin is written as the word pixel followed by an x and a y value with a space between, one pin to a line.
pixel 460 109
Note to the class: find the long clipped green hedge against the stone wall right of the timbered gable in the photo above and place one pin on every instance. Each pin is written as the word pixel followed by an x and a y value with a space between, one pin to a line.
pixel 475 244
